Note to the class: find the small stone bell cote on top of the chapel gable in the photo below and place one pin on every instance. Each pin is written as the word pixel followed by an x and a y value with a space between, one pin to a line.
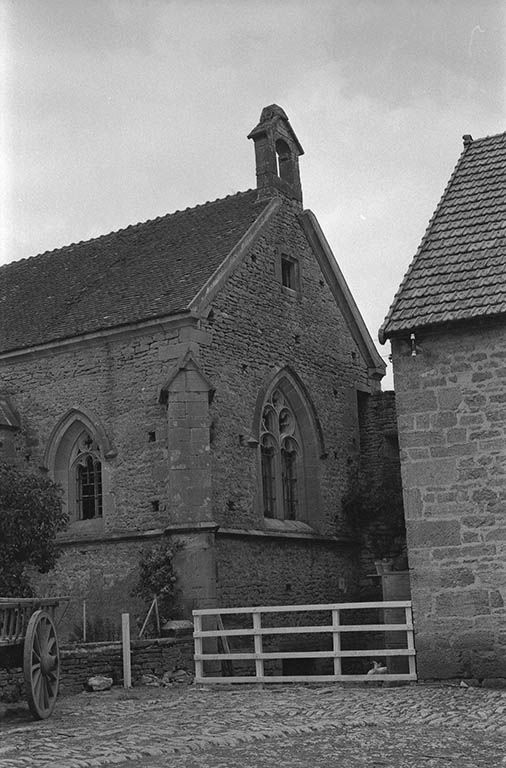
pixel 277 152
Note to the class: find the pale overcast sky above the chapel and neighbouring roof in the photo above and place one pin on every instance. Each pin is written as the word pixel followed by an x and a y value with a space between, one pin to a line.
pixel 117 111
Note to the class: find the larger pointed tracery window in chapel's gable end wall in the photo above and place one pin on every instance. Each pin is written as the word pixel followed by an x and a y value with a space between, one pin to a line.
pixel 281 459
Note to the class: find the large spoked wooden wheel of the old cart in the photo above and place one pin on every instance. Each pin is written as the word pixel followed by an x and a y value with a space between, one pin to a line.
pixel 41 663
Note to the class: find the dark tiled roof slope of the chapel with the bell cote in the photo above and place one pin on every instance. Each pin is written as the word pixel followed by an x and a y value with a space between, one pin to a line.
pixel 145 271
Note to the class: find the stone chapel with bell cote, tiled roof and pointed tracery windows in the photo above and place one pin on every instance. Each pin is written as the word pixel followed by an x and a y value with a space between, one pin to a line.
pixel 195 376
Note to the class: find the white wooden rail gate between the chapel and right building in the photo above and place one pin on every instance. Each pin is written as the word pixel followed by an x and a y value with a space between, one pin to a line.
pixel 335 628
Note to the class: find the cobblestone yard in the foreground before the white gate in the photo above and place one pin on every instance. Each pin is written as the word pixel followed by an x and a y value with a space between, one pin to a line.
pixel 298 726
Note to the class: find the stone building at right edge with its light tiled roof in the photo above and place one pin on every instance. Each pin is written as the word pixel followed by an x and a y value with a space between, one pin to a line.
pixel 447 326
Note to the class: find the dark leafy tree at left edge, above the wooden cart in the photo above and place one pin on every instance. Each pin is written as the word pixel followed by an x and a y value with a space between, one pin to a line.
pixel 31 514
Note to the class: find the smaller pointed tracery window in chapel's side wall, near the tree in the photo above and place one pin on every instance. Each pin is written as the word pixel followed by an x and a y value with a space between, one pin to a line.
pixel 86 477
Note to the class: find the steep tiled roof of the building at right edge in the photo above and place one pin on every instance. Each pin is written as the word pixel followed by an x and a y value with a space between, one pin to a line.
pixel 459 270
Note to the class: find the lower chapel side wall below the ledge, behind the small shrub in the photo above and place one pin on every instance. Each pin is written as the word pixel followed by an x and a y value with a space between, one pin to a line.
pixel 104 574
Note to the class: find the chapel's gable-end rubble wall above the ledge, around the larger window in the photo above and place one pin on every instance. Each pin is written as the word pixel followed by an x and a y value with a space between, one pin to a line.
pixel 257 328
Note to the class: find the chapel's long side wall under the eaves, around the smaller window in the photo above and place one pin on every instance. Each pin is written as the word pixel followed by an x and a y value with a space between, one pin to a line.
pixel 118 379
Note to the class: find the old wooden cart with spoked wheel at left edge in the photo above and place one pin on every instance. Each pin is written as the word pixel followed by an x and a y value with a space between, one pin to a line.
pixel 28 630
